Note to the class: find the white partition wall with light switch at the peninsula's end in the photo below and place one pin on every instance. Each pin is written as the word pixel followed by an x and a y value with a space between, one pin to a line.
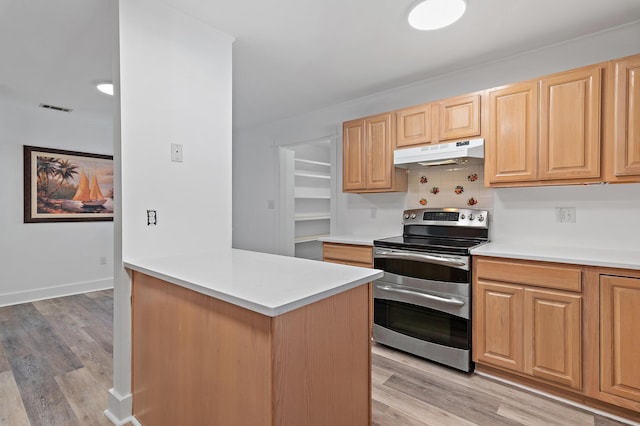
pixel 174 76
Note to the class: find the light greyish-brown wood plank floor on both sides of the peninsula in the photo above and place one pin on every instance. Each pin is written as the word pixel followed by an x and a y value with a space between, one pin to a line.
pixel 56 358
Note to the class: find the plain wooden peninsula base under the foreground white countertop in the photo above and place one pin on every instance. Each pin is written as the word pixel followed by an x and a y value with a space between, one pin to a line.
pixel 200 360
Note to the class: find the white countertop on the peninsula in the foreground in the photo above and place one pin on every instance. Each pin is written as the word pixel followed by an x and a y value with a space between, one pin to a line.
pixel 265 283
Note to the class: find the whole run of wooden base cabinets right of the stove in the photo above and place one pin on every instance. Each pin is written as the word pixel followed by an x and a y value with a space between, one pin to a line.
pixel 570 330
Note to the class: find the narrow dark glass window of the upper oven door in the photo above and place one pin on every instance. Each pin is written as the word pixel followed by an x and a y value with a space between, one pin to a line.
pixel 425 271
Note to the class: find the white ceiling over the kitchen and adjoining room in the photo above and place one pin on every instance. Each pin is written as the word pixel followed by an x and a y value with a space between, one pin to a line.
pixel 290 56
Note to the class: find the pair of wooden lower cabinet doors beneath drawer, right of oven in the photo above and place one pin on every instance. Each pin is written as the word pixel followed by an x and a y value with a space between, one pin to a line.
pixel 531 331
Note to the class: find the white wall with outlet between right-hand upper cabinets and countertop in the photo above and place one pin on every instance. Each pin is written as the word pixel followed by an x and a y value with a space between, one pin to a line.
pixel 606 216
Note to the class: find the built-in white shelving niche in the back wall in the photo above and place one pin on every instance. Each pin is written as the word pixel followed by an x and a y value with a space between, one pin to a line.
pixel 307 186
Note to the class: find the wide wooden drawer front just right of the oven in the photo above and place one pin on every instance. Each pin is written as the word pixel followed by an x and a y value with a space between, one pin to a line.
pixel 542 274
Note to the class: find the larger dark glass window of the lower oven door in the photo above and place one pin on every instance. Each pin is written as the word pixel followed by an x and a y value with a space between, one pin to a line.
pixel 423 323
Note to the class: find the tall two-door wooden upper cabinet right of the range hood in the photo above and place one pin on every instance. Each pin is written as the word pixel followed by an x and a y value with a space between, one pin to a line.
pixel 546 131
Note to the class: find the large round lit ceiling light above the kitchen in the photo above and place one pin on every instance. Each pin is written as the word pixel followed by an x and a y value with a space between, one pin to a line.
pixel 435 14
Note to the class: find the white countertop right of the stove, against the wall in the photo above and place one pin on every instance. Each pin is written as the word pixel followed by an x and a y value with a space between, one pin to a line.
pixel 625 259
